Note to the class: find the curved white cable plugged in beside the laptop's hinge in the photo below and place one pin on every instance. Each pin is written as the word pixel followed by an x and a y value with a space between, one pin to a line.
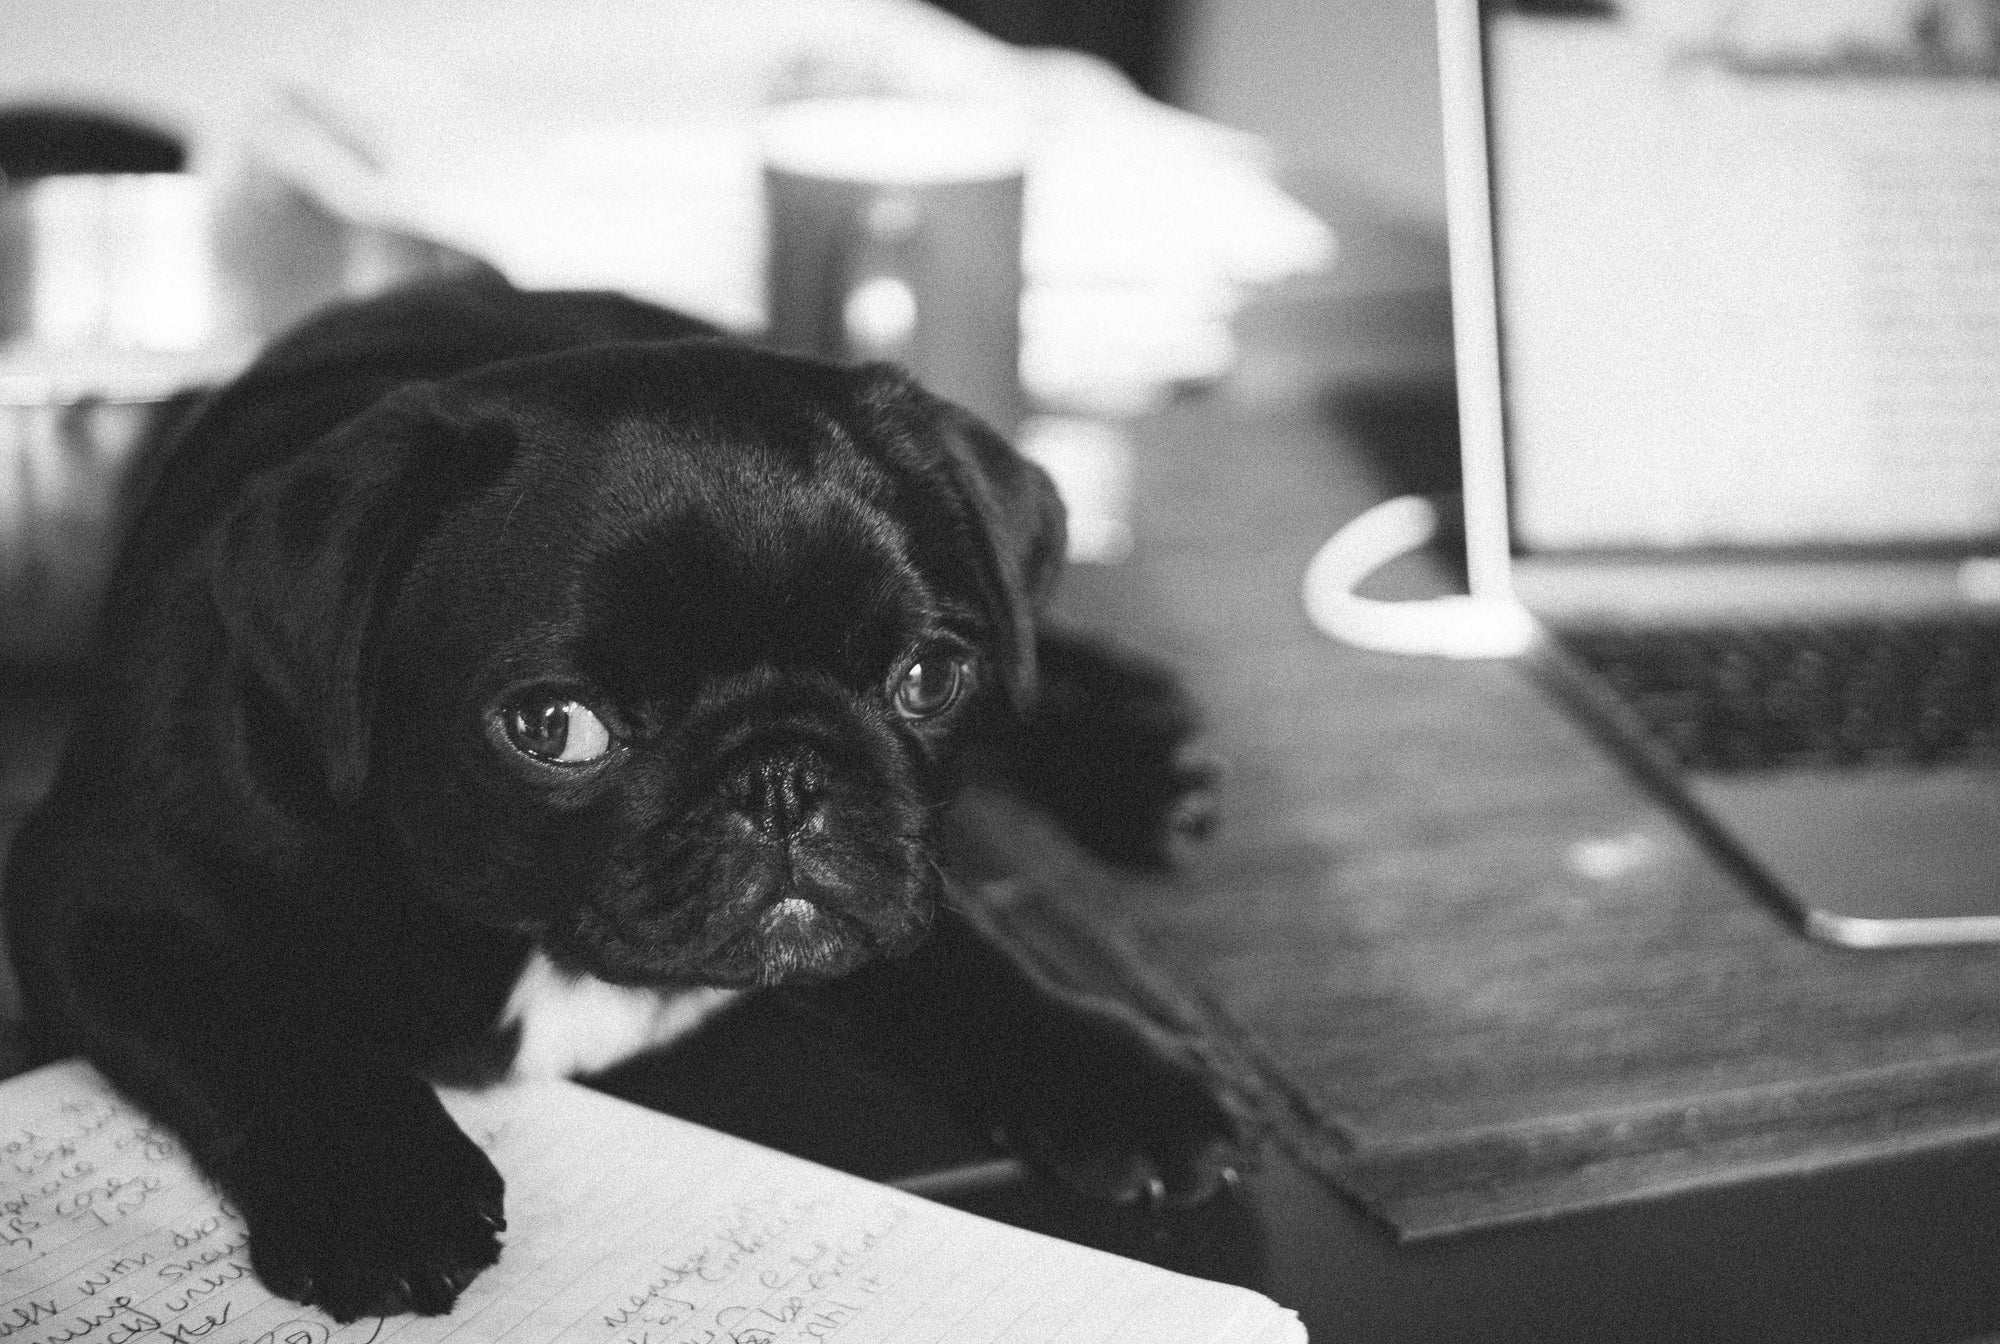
pixel 1449 627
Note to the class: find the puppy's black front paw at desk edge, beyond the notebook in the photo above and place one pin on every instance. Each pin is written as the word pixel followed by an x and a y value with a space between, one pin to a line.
pixel 1119 1111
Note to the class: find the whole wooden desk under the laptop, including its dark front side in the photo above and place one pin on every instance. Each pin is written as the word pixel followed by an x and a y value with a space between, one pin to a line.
pixel 1585 1081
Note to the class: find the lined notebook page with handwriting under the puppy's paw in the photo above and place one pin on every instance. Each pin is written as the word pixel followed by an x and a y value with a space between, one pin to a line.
pixel 625 1227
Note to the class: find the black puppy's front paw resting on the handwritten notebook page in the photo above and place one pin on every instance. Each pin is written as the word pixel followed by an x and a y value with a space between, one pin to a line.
pixel 367 1207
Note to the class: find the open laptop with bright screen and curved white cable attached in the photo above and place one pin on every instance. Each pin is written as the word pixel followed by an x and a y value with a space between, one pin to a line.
pixel 1727 313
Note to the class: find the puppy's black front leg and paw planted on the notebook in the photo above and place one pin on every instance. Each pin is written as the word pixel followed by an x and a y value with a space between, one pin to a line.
pixel 361 1193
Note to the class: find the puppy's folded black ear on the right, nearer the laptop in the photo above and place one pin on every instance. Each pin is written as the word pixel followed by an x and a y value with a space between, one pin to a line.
pixel 1019 525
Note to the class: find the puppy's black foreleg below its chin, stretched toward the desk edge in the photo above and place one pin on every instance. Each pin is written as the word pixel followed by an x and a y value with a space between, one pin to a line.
pixel 1083 1089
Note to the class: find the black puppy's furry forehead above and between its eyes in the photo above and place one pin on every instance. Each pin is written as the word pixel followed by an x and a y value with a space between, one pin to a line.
pixel 699 555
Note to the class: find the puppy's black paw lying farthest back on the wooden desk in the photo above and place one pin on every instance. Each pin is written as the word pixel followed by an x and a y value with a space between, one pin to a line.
pixel 1111 753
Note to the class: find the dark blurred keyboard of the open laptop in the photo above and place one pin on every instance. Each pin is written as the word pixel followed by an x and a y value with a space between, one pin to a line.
pixel 1809 697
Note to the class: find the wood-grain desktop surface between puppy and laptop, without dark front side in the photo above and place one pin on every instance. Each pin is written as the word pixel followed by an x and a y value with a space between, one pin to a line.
pixel 1491 975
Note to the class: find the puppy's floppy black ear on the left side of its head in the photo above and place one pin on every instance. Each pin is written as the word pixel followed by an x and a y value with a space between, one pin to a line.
pixel 313 555
